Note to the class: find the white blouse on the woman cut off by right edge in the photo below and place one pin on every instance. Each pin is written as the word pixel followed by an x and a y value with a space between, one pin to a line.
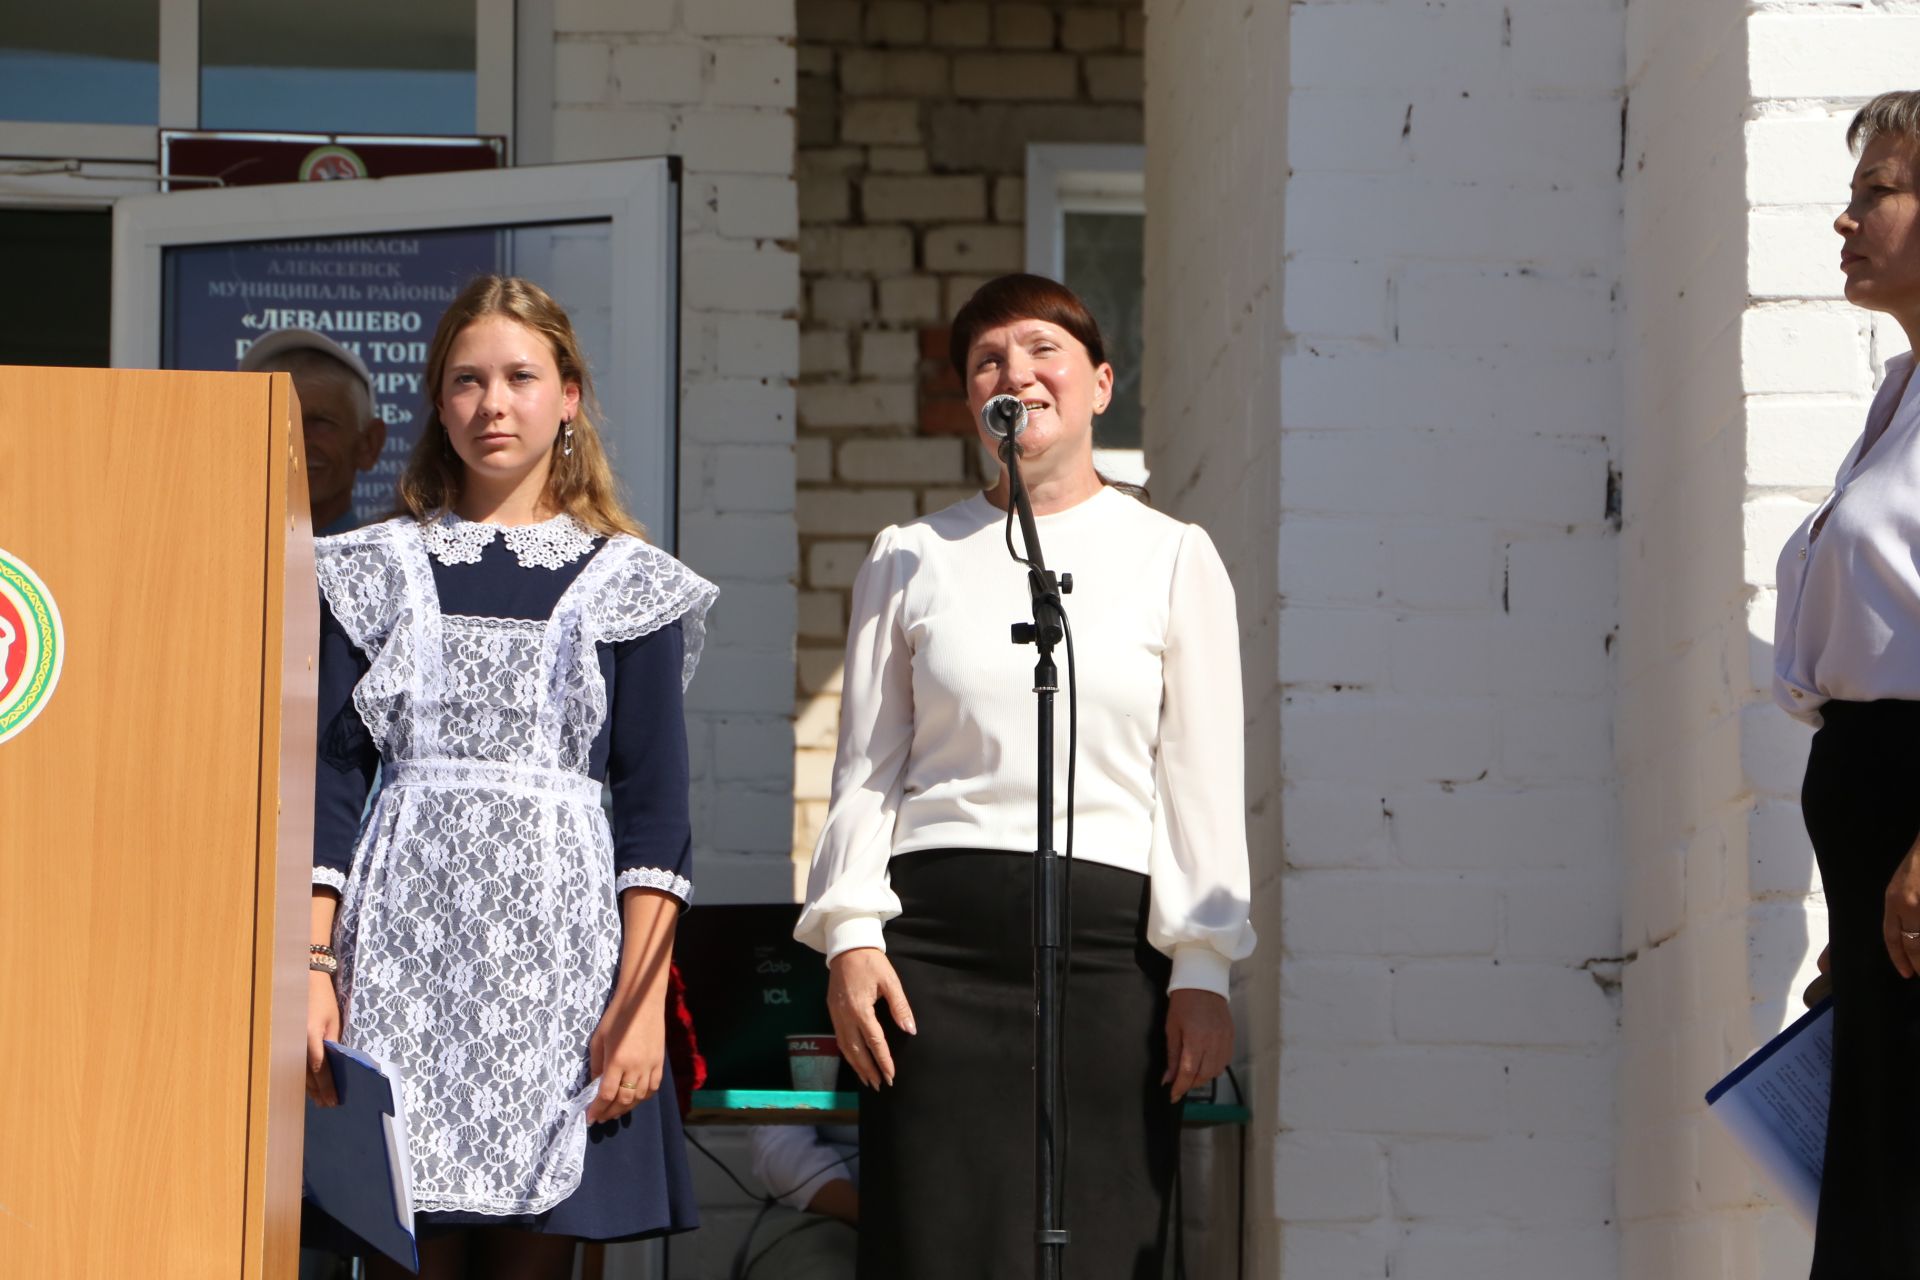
pixel 1848 621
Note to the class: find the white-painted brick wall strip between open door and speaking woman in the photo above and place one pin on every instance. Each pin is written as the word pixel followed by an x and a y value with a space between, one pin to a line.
pixel 715 83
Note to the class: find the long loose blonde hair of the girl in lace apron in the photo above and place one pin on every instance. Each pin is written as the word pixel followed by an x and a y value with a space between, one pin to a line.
pixel 579 485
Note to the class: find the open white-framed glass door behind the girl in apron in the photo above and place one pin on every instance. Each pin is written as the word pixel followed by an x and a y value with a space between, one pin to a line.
pixel 373 264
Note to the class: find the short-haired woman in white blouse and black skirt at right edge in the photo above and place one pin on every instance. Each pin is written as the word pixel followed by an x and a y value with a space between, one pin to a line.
pixel 1848 661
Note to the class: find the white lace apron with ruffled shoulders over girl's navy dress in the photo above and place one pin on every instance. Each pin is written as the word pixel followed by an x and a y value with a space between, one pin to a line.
pixel 479 930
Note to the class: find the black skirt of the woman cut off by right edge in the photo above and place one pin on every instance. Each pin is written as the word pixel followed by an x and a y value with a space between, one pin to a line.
pixel 1863 813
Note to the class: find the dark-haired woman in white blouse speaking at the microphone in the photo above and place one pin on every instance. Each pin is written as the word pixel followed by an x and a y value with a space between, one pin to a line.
pixel 921 886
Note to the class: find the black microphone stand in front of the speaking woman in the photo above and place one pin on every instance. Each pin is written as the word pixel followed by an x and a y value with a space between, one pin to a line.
pixel 1049 897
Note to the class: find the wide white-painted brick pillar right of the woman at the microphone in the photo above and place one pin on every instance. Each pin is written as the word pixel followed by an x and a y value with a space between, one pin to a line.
pixel 1431 327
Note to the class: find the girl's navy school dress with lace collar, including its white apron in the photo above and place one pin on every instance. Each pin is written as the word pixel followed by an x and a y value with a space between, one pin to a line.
pixel 494 680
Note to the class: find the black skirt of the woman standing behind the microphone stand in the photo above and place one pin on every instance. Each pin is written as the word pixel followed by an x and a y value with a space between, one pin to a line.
pixel 948 1150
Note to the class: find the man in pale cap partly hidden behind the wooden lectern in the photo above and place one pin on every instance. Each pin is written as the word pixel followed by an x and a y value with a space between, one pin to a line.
pixel 337 410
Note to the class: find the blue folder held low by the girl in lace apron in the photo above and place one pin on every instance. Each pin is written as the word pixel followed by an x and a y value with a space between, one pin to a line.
pixel 356 1166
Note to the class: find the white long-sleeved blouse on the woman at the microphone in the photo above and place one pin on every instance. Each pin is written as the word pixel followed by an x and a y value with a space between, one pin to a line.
pixel 938 723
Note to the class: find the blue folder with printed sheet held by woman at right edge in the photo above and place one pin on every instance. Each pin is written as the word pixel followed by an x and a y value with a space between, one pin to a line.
pixel 1777 1112
